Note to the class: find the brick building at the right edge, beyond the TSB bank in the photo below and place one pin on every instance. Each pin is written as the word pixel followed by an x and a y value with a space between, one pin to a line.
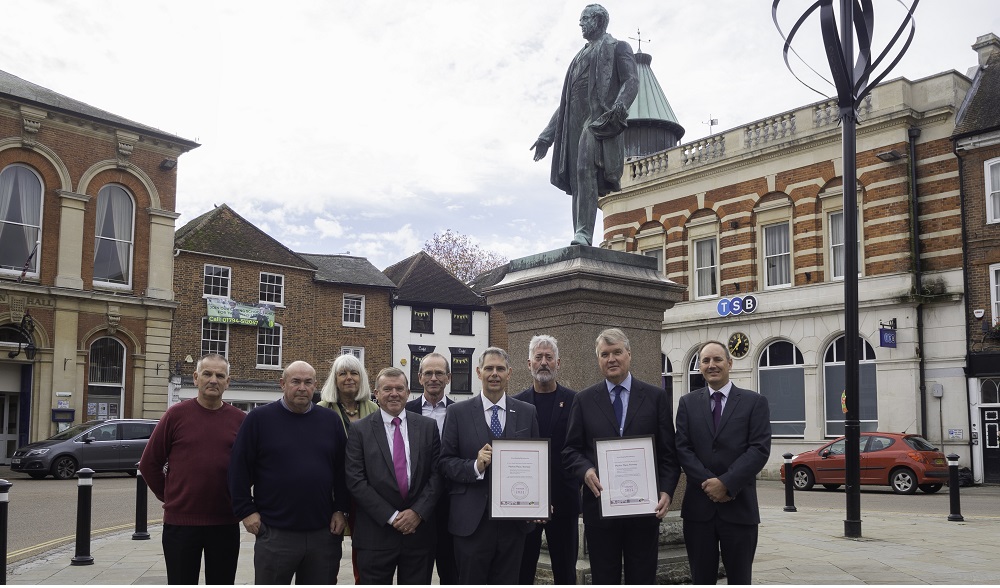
pixel 977 145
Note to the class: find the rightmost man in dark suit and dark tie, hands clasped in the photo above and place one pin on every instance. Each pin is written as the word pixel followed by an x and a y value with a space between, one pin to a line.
pixel 723 441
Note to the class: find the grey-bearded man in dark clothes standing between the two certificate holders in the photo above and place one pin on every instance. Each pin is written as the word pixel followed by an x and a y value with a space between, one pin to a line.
pixel 552 401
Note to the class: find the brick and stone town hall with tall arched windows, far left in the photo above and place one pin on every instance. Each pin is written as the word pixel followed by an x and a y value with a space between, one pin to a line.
pixel 86 231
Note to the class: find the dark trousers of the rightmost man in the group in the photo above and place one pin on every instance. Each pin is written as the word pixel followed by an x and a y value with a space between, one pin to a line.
pixel 705 540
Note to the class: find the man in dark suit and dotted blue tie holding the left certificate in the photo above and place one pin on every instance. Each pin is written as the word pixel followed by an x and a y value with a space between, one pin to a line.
pixel 487 551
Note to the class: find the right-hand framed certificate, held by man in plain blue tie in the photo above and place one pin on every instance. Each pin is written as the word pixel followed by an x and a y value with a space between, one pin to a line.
pixel 627 469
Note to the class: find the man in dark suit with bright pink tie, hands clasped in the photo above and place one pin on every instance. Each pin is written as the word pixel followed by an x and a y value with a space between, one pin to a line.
pixel 391 469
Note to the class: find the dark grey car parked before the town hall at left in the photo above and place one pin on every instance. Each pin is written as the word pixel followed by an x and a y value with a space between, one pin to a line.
pixel 113 445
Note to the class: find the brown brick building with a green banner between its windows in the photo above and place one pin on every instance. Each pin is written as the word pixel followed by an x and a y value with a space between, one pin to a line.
pixel 322 306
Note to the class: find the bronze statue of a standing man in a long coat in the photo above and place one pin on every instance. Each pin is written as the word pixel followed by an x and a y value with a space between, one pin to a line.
pixel 588 154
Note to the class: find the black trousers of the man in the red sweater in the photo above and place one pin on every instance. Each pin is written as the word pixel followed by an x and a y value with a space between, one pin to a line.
pixel 183 546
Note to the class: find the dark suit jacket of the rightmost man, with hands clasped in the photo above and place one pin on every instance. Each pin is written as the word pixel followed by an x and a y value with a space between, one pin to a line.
pixel 734 454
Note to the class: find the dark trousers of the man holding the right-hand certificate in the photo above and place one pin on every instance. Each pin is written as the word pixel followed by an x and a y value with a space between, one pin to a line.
pixel 629 544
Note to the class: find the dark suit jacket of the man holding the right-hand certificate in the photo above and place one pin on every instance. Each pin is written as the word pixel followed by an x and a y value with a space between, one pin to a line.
pixel 592 417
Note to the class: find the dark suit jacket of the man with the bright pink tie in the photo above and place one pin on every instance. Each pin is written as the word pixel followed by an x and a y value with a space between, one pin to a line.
pixel 371 479
